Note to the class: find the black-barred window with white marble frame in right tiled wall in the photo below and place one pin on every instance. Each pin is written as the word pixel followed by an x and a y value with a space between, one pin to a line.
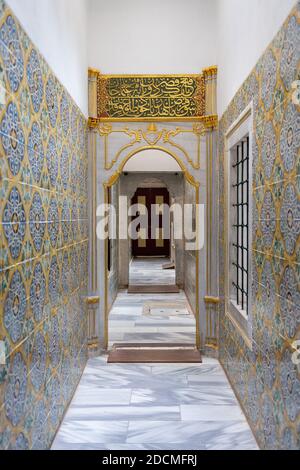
pixel 238 182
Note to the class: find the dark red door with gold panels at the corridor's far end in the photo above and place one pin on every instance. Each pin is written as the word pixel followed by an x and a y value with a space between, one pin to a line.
pixel 145 245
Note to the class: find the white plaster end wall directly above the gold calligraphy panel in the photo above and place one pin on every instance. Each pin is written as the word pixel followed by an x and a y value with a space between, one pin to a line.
pixel 157 36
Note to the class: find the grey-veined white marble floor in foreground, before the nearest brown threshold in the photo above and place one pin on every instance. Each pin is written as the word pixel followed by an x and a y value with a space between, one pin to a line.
pixel 153 407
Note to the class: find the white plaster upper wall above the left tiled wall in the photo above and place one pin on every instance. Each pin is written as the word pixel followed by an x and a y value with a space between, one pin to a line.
pixel 59 29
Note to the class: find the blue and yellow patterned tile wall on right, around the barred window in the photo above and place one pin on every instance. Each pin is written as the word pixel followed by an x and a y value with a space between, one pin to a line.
pixel 265 378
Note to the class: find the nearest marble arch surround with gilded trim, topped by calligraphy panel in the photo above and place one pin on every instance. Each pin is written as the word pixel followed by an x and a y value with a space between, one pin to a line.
pixel 190 139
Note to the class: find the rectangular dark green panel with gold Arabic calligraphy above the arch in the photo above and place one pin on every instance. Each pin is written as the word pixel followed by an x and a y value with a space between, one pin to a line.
pixel 150 97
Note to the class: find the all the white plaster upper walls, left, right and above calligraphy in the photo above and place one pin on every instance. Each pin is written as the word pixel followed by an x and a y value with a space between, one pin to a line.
pixel 161 36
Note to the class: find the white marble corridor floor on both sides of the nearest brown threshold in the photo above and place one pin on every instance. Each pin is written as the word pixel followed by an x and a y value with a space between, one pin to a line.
pixel 153 407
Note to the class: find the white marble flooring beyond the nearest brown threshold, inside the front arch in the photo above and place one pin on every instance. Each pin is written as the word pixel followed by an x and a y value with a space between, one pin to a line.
pixel 170 320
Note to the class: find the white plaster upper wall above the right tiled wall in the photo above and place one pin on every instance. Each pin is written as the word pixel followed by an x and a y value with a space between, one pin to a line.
pixel 245 29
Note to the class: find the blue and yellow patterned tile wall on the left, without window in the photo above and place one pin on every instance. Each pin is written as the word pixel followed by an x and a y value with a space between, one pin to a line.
pixel 43 242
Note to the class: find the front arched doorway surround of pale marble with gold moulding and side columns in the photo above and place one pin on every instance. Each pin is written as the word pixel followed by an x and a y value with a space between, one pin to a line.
pixel 191 141
